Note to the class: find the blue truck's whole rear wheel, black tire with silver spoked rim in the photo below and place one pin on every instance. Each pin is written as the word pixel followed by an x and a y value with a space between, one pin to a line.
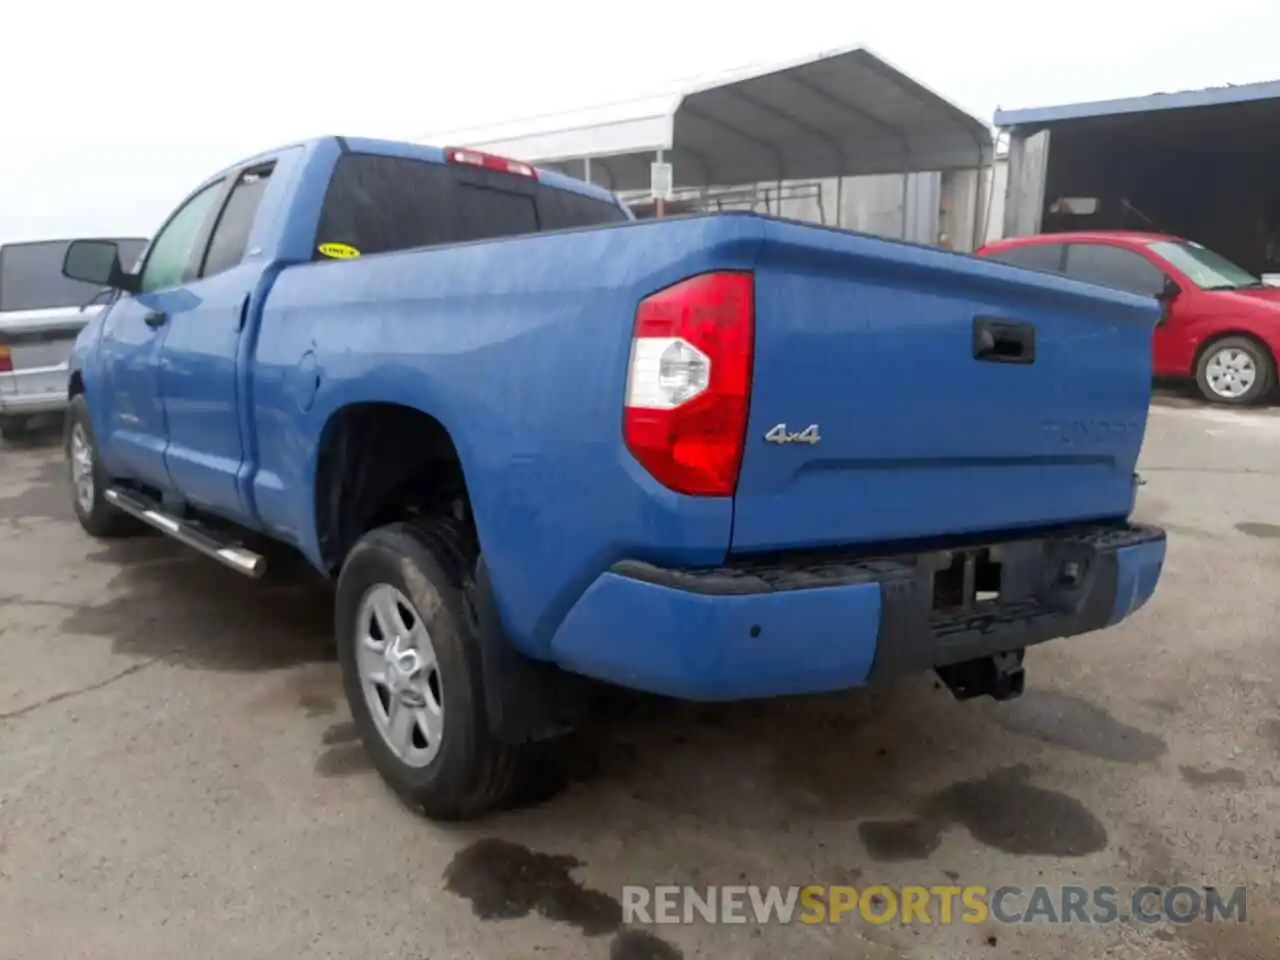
pixel 413 676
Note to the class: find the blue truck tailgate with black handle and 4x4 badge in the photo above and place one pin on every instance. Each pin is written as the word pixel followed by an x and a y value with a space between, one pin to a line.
pixel 949 396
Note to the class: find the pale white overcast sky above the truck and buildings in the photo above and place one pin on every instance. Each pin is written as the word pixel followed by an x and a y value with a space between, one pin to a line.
pixel 113 113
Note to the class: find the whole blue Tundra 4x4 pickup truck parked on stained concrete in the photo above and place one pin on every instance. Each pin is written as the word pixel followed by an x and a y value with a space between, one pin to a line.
pixel 540 445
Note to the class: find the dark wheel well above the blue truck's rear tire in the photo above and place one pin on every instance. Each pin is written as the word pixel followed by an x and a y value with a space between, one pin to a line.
pixel 383 463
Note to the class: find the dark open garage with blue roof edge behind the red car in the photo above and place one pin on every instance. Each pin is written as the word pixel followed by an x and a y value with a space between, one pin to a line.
pixel 1200 164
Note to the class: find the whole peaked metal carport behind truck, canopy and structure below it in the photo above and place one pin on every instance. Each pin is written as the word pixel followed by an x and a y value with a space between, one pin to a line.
pixel 822 139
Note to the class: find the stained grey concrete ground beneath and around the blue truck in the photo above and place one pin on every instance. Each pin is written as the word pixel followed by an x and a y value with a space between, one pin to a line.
pixel 179 775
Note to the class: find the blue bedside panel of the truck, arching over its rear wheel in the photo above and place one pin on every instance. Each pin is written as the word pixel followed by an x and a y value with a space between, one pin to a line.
pixel 520 349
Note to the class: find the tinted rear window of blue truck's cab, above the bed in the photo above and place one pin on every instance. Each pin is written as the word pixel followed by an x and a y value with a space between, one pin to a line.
pixel 380 204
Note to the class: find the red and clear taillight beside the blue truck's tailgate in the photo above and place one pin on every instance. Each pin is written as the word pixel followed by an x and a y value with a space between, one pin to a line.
pixel 689 383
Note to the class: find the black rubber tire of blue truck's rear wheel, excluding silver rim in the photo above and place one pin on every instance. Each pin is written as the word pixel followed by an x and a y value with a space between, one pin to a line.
pixel 473 774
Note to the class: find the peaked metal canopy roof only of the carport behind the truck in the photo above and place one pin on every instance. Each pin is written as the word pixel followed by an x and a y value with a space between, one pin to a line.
pixel 843 115
